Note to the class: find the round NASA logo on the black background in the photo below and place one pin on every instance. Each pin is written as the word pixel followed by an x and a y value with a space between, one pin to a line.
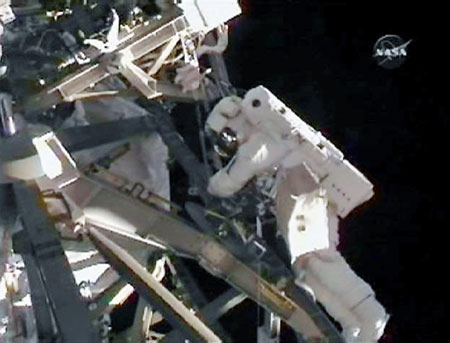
pixel 390 51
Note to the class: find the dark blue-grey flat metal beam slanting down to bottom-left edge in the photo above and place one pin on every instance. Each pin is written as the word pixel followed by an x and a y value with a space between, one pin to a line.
pixel 71 314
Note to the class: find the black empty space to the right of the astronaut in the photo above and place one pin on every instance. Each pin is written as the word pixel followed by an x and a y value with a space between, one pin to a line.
pixel 317 57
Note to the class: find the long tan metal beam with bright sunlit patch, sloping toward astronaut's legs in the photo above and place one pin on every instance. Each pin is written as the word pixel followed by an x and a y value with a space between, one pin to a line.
pixel 106 207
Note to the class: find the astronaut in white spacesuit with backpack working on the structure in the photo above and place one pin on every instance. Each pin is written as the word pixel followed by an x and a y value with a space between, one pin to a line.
pixel 315 186
